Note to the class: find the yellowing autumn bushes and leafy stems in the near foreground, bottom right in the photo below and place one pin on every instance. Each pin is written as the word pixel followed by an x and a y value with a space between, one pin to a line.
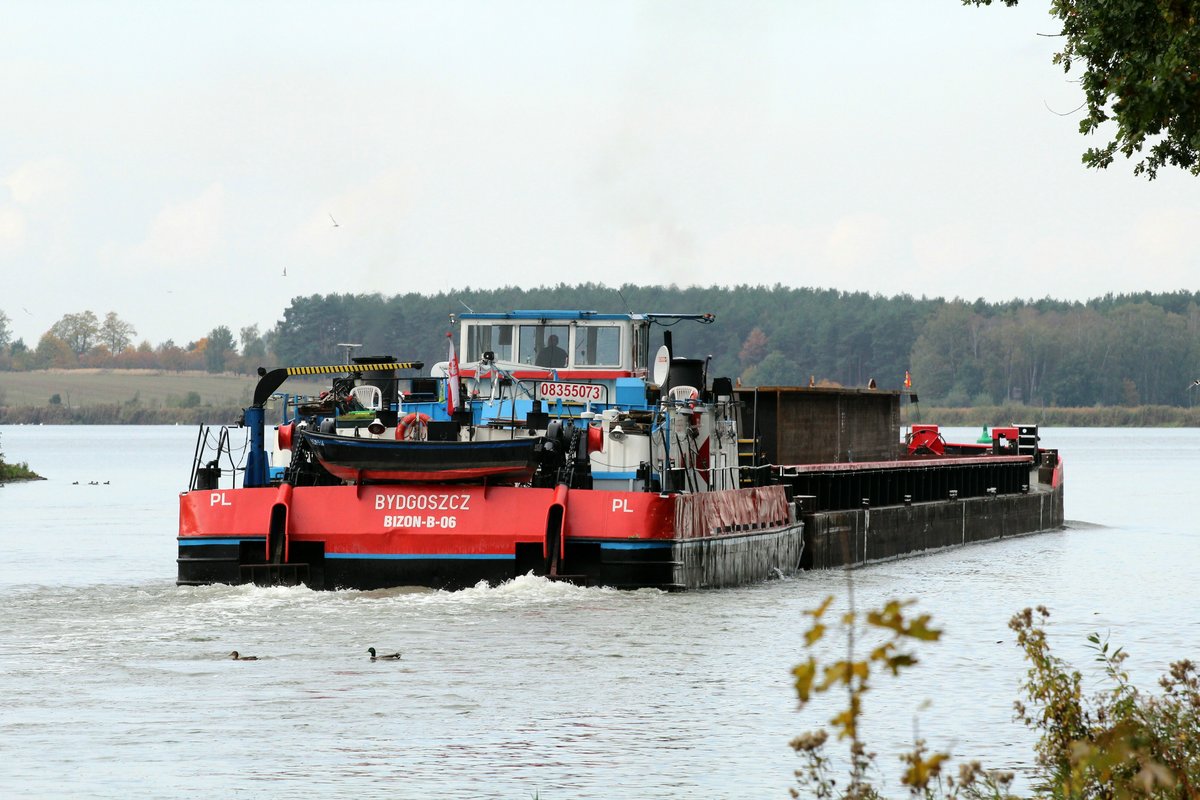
pixel 1121 744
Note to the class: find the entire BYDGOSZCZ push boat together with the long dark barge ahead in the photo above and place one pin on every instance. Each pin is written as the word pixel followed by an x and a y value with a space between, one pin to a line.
pixel 599 462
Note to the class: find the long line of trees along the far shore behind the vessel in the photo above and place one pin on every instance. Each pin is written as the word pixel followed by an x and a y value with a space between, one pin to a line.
pixel 1130 350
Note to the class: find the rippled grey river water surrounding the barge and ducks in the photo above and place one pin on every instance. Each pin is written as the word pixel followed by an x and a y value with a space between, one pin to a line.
pixel 117 683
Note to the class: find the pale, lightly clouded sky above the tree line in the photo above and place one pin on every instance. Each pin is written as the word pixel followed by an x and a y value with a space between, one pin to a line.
pixel 184 165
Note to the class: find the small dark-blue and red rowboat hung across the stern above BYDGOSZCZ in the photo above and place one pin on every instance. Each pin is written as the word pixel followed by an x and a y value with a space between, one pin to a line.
pixel 403 461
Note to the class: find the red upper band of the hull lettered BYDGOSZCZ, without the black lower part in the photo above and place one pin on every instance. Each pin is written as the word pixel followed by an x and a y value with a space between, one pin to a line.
pixel 471 520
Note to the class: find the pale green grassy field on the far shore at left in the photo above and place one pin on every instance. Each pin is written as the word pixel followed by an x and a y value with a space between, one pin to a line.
pixel 151 388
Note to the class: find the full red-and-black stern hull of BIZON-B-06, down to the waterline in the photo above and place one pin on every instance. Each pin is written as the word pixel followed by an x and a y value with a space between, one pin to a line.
pixel 454 537
